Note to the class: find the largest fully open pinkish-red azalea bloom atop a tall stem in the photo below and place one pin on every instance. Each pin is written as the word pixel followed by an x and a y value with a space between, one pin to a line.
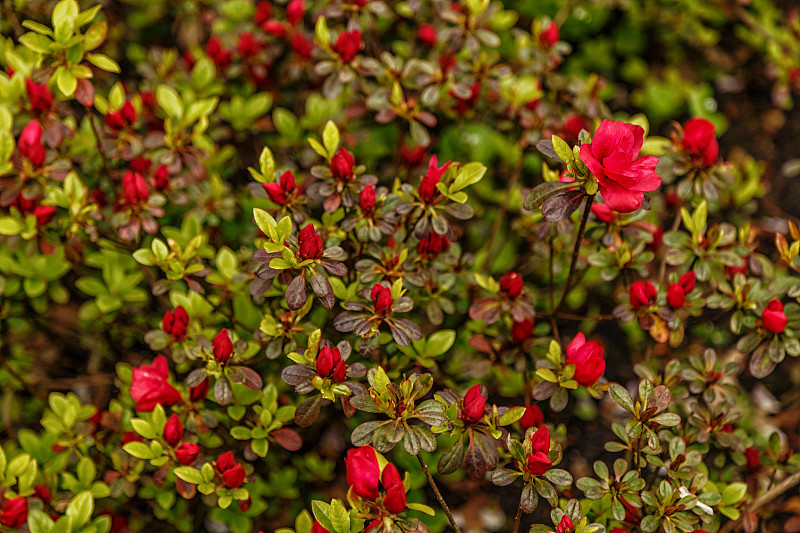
pixel 612 156
